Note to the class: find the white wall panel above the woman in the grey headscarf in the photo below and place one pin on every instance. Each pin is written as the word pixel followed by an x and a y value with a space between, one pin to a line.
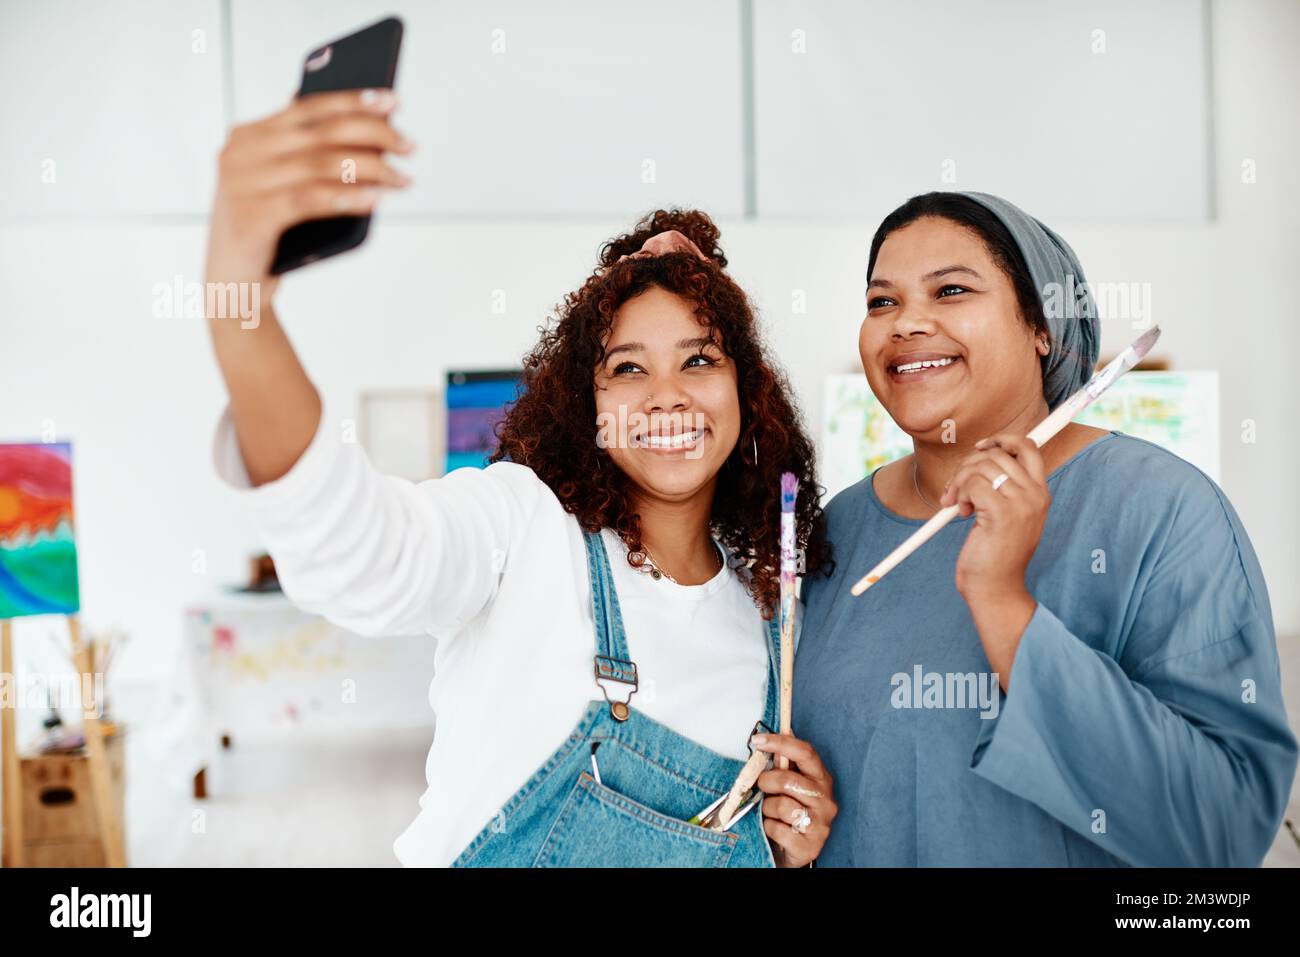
pixel 1012 97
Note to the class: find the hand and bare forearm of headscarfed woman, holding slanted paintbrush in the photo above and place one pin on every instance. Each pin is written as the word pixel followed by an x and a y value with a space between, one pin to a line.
pixel 1008 526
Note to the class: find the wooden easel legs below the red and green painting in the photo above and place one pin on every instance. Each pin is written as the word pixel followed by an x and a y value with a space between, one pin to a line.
pixel 97 759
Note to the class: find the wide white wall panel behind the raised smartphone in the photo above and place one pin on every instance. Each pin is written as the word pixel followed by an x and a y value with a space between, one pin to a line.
pixel 558 120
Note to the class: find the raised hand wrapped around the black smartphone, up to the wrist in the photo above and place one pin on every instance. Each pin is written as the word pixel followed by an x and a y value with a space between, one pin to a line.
pixel 320 157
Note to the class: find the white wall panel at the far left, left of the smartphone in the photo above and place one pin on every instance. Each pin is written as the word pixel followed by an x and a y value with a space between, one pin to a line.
pixel 120 105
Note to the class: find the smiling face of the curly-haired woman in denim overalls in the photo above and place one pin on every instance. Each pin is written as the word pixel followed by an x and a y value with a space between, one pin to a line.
pixel 666 399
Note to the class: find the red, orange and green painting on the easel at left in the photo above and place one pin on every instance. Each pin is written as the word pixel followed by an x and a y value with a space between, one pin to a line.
pixel 38 551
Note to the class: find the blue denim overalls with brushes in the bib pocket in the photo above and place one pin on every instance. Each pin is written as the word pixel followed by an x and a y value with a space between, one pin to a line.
pixel 653 781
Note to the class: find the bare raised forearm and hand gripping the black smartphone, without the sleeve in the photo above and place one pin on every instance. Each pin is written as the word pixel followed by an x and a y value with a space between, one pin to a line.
pixel 275 174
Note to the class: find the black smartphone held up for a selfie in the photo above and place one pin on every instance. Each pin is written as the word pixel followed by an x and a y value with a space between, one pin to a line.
pixel 367 59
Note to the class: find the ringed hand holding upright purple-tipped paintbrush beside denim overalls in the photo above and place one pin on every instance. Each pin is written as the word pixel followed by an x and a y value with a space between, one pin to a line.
pixel 799 807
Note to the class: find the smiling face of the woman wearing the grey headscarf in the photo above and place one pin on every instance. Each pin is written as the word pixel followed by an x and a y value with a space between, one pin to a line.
pixel 944 339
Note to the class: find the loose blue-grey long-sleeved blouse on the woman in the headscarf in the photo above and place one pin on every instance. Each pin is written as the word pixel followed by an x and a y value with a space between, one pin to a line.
pixel 1145 724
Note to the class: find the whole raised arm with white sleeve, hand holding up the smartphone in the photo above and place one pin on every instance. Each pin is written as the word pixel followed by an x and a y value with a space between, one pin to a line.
pixel 378 555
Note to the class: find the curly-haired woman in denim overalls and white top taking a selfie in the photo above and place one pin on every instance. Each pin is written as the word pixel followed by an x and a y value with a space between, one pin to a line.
pixel 603 594
